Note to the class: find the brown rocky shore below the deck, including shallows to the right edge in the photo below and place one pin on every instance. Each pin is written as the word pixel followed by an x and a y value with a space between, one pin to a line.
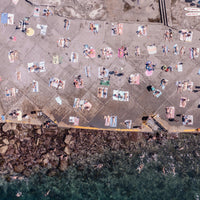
pixel 26 149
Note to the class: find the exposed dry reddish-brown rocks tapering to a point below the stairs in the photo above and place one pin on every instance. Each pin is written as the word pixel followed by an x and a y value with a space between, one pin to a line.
pixel 25 149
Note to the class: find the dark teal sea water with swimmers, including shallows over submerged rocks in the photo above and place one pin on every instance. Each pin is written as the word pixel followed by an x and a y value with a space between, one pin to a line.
pixel 169 171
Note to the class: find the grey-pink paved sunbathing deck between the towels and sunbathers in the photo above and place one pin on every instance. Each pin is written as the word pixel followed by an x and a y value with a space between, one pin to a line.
pixel 42 48
